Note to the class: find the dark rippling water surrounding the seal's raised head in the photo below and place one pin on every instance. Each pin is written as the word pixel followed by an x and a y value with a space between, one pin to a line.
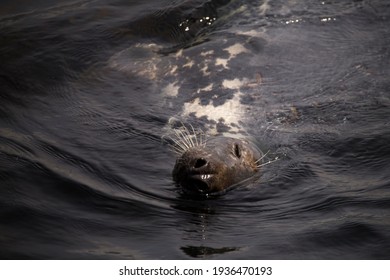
pixel 85 98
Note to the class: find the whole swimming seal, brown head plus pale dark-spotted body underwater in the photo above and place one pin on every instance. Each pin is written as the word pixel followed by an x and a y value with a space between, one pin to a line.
pixel 215 80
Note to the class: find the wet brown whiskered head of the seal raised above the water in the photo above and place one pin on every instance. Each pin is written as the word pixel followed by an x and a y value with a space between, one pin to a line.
pixel 211 165
